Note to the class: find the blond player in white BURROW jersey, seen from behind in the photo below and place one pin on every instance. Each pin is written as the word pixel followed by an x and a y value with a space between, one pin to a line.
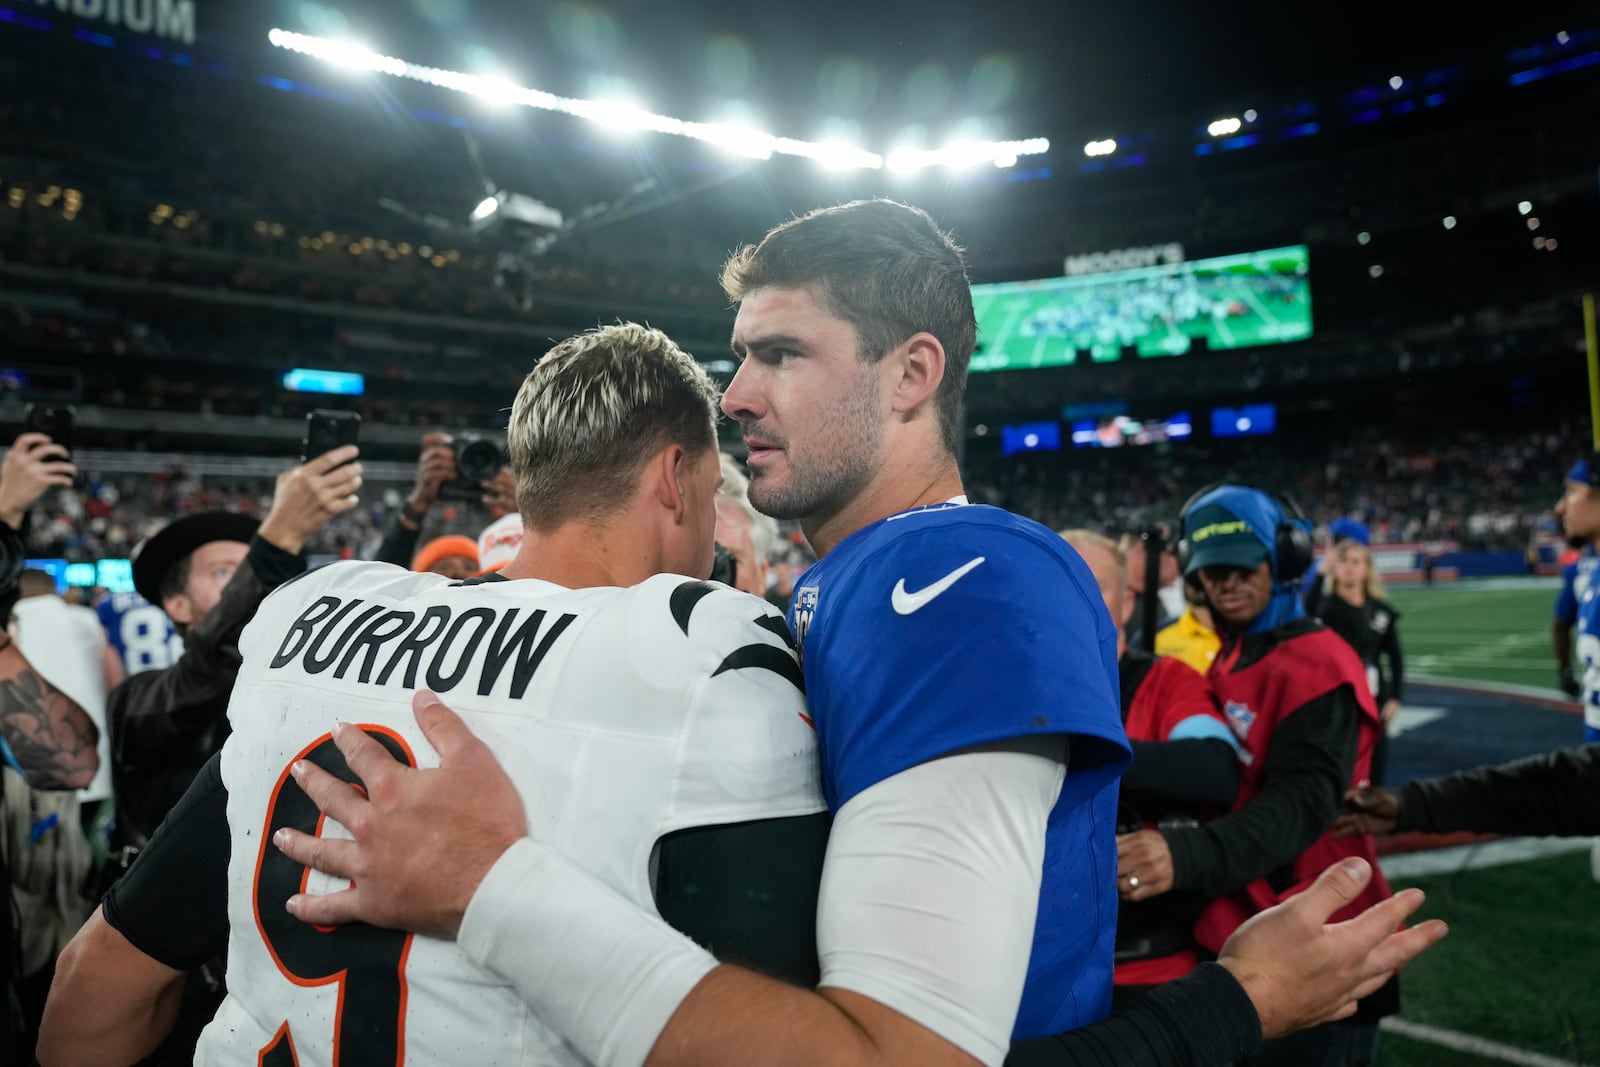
pixel 655 722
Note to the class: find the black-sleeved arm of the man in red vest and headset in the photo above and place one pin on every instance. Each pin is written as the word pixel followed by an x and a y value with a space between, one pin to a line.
pixel 1308 767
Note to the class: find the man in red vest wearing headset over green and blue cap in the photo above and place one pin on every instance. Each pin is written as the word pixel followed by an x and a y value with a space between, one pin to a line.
pixel 1298 701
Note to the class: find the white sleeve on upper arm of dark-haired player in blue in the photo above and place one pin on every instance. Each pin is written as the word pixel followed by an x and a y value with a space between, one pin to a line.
pixel 932 889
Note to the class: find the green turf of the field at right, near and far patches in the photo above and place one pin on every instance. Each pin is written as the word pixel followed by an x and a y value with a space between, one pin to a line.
pixel 1521 964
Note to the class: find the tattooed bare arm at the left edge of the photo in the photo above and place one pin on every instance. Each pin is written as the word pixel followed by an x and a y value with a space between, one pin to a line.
pixel 50 735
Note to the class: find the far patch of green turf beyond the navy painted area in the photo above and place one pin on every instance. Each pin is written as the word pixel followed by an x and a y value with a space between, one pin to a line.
pixel 1489 631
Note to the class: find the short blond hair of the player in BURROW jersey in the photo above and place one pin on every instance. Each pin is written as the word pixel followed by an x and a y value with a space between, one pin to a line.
pixel 593 412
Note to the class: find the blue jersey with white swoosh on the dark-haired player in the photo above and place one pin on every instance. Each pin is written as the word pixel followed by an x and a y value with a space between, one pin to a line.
pixel 954 626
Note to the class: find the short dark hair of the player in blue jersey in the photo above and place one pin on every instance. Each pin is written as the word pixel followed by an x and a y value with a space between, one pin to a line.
pixel 884 268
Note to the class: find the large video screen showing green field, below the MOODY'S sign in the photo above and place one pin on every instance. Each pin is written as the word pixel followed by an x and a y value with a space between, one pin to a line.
pixel 1230 302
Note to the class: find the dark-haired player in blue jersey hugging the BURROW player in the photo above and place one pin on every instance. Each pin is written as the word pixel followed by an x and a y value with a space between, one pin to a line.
pixel 961 671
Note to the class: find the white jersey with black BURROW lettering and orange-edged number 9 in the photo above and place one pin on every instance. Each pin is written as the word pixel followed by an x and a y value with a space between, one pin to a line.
pixel 622 716
